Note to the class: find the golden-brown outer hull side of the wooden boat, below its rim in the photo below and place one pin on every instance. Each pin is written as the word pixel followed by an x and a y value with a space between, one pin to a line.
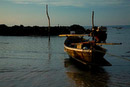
pixel 89 56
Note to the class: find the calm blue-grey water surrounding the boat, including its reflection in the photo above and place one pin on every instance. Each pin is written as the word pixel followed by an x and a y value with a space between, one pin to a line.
pixel 31 62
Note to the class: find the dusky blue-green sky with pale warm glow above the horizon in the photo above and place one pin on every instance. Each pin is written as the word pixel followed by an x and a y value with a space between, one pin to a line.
pixel 64 12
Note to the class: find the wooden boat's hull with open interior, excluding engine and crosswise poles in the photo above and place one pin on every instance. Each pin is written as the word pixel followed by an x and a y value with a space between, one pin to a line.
pixel 86 52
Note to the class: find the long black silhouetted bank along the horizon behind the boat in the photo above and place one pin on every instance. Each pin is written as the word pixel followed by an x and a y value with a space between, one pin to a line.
pixel 38 31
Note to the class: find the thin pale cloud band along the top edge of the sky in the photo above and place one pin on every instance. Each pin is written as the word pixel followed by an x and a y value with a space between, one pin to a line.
pixel 76 3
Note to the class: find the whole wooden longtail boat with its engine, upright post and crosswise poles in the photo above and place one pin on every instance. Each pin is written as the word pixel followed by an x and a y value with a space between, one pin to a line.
pixel 85 51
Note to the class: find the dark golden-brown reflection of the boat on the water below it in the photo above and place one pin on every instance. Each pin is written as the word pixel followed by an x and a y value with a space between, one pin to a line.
pixel 83 77
